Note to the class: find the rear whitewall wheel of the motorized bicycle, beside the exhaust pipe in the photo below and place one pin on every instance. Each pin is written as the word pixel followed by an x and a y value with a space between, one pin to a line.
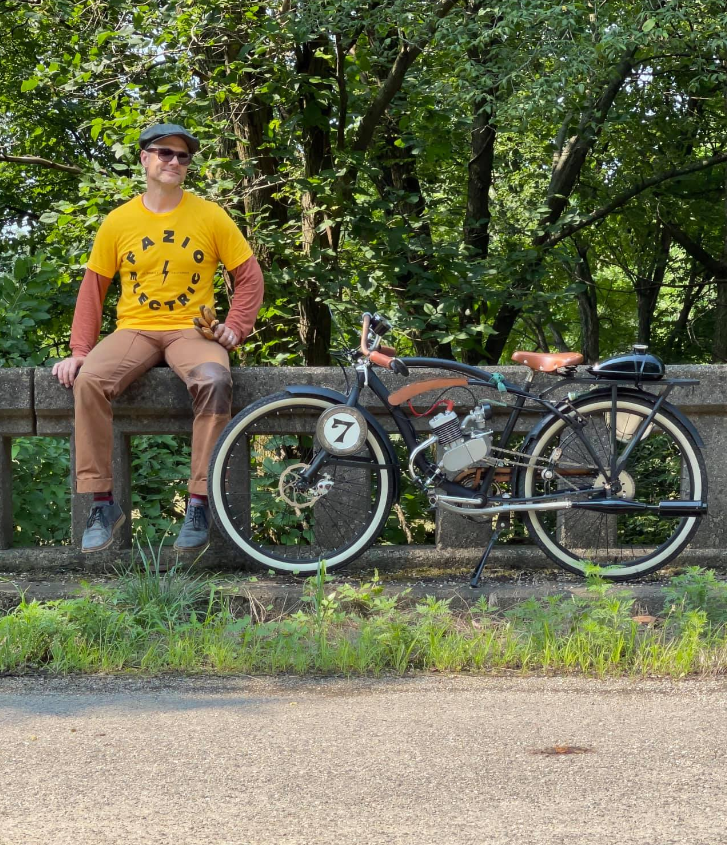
pixel 665 464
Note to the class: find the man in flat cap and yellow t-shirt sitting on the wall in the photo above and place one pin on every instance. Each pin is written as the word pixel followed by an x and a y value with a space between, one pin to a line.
pixel 166 245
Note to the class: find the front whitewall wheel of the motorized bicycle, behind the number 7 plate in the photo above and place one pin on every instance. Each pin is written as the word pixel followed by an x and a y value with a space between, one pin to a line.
pixel 276 522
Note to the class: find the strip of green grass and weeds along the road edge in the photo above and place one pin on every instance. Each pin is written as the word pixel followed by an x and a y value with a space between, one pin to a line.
pixel 155 621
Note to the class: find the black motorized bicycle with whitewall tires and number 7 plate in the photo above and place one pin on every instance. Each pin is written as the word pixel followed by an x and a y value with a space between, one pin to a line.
pixel 610 473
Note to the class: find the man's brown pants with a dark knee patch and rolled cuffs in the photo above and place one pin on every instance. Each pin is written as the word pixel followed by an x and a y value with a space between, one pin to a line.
pixel 117 361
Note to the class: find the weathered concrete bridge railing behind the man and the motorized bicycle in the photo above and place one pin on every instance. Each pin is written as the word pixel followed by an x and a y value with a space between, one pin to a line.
pixel 32 402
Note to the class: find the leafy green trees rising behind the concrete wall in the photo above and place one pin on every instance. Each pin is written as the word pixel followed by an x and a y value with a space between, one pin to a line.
pixel 526 175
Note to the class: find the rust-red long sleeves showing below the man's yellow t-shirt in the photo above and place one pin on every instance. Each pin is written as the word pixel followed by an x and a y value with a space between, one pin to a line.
pixel 247 298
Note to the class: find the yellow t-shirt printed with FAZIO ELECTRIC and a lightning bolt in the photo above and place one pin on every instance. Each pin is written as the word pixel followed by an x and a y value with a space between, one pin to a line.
pixel 166 261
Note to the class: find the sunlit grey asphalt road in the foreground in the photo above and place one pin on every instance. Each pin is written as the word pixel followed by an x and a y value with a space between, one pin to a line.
pixel 434 759
